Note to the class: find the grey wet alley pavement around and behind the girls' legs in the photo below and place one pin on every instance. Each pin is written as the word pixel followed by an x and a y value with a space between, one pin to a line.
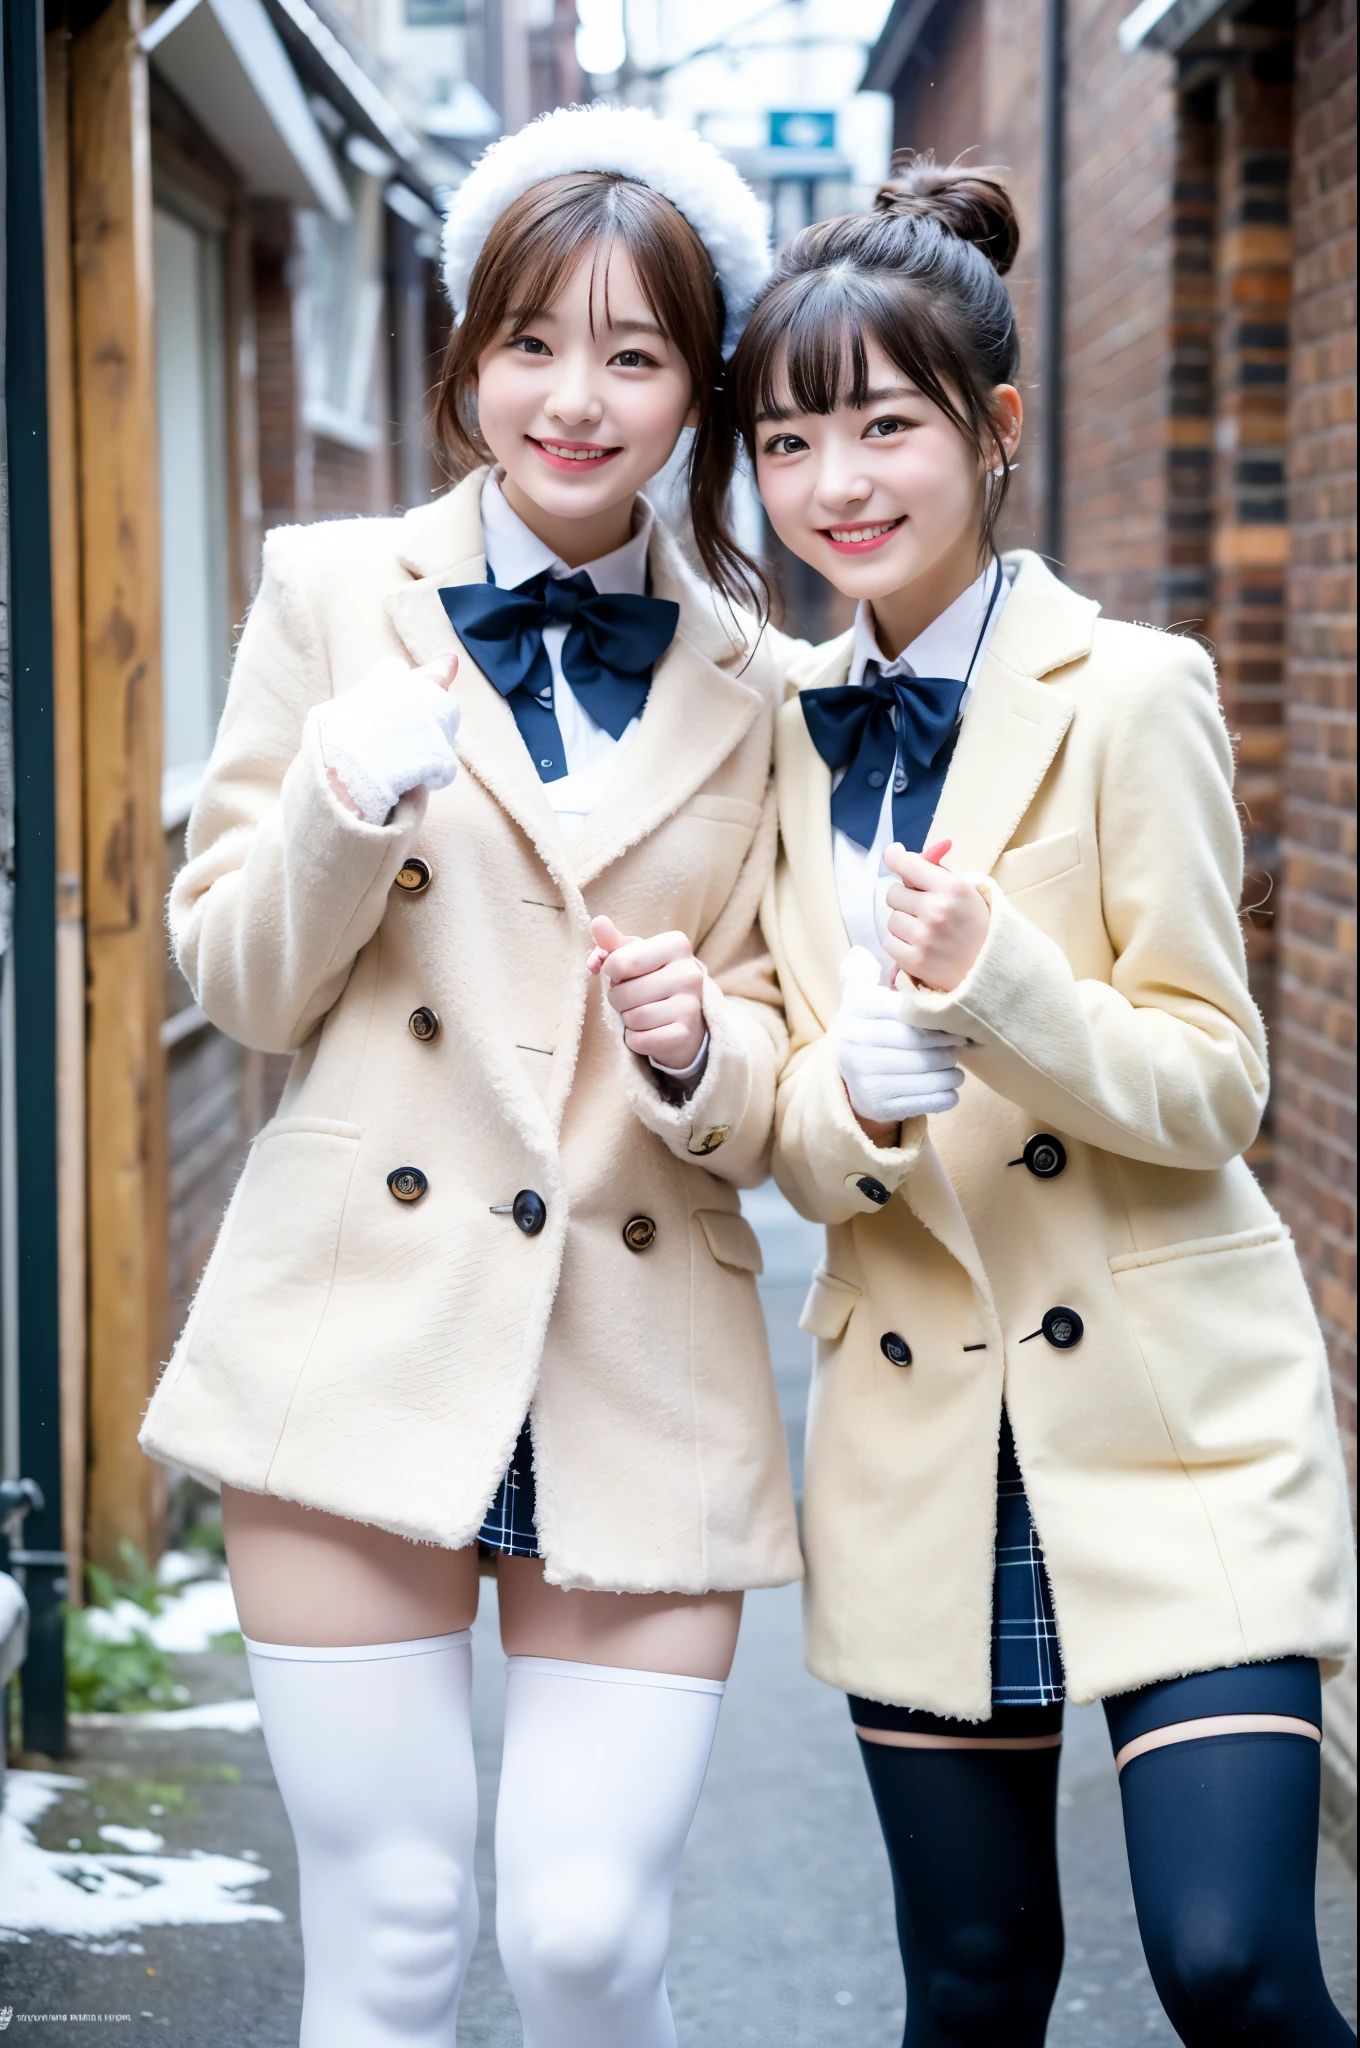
pixel 783 1916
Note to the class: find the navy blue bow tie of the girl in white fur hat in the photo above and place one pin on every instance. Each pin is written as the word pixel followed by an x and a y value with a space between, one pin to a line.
pixel 611 648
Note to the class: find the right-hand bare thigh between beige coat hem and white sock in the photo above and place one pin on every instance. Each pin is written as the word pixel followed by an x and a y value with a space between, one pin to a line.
pixel 689 1635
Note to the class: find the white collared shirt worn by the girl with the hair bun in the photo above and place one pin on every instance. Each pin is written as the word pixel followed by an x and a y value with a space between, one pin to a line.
pixel 945 648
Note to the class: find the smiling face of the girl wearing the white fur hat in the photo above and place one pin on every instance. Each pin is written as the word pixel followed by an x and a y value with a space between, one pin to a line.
pixel 583 402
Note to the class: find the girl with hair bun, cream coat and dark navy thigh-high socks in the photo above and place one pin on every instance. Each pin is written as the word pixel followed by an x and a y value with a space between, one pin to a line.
pixel 1072 1428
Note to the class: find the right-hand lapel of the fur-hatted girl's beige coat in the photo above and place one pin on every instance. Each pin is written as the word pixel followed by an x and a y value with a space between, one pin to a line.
pixel 693 720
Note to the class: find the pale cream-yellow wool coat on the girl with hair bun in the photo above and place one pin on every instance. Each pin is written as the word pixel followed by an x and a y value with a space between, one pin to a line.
pixel 1183 1461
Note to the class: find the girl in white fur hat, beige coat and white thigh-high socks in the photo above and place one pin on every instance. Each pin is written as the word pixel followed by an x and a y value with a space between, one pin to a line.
pixel 486 1281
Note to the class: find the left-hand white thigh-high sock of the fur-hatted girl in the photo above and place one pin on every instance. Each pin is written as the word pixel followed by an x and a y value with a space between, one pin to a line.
pixel 374 1758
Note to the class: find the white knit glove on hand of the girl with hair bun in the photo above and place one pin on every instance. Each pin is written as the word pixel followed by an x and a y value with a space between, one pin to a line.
pixel 892 1070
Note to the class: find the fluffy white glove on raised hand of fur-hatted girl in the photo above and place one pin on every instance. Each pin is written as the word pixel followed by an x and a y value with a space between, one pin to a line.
pixel 392 734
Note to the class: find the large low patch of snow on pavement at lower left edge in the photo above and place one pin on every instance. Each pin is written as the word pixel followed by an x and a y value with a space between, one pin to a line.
pixel 93 1895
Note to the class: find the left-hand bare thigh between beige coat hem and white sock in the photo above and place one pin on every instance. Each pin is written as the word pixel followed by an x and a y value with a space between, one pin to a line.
pixel 325 1582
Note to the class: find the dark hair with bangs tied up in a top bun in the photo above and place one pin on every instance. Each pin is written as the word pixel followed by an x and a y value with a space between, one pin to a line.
pixel 921 278
